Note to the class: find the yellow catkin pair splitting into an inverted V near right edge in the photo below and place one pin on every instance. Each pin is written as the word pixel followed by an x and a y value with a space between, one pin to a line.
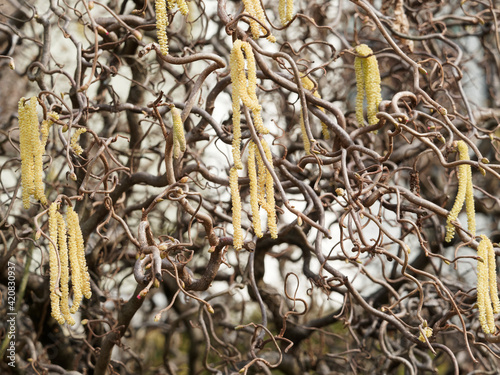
pixel 464 189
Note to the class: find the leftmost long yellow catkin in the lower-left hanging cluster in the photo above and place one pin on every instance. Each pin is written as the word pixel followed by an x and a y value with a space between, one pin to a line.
pixel 55 300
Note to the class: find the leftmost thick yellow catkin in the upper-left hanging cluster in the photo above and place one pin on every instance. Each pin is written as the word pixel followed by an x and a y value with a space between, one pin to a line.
pixel 27 122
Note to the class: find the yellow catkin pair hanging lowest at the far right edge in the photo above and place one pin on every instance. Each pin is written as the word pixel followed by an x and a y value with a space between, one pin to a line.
pixel 486 287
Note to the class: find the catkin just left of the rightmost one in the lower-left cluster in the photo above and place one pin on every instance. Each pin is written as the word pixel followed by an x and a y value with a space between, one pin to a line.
pixel 73 248
